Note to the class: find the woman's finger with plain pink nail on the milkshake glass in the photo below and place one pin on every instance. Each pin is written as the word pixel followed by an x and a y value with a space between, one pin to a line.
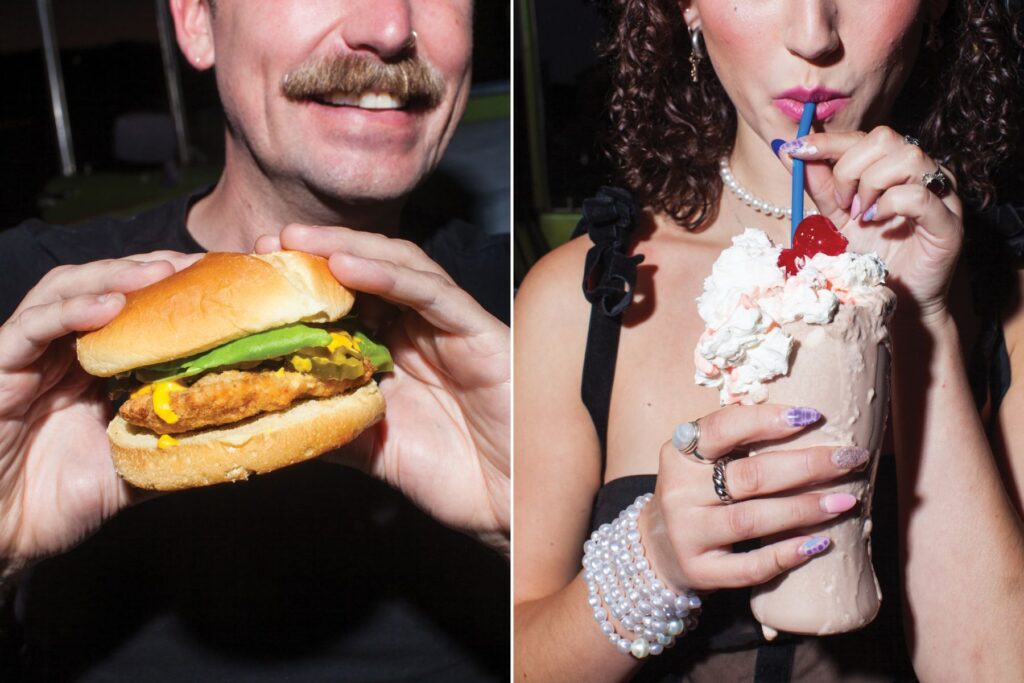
pixel 728 525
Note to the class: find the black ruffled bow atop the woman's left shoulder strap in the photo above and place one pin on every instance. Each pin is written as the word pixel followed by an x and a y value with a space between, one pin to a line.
pixel 610 275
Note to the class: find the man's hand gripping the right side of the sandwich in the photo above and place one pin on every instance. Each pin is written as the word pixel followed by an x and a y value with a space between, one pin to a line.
pixel 445 442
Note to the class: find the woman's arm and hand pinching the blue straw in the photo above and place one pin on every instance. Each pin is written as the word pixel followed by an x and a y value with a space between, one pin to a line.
pixel 963 554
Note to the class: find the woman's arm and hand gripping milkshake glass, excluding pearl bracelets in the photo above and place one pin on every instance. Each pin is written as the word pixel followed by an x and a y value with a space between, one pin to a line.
pixel 688 531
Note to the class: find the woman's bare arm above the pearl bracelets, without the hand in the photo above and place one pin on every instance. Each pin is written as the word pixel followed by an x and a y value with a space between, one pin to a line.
pixel 558 475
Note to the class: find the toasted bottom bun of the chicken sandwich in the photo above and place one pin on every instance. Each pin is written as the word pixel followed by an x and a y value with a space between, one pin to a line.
pixel 259 445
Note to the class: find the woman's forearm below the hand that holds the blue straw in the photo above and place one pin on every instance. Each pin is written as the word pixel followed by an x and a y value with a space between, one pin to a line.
pixel 963 552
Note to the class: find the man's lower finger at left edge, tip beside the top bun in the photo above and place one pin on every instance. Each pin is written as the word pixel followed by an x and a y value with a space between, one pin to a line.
pixel 26 336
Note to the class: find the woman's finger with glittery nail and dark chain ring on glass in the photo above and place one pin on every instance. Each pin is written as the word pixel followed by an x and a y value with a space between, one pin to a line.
pixel 780 472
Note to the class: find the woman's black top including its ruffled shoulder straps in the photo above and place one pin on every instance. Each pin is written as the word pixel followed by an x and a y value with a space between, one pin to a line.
pixel 877 653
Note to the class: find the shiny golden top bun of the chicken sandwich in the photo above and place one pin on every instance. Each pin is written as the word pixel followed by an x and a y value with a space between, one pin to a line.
pixel 221 298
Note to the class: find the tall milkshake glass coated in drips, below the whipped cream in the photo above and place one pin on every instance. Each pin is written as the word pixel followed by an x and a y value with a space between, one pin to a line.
pixel 841 369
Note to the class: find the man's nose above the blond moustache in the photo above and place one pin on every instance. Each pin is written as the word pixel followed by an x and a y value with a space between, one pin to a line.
pixel 382 27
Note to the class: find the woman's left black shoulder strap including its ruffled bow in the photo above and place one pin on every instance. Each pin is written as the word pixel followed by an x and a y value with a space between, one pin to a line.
pixel 610 278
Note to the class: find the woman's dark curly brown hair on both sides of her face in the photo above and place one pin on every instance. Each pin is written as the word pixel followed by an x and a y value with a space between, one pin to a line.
pixel 668 134
